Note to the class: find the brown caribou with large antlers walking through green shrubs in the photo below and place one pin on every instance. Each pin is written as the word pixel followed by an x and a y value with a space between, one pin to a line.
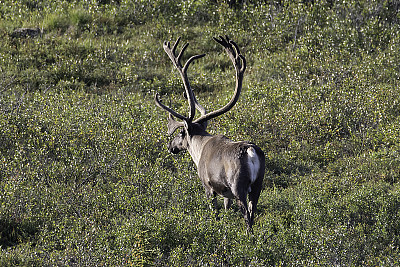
pixel 233 170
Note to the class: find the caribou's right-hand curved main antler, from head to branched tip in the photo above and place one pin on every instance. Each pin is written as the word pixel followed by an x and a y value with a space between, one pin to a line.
pixel 239 63
